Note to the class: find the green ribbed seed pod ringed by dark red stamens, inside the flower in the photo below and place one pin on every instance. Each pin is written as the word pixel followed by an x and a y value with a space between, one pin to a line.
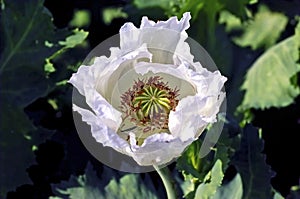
pixel 146 107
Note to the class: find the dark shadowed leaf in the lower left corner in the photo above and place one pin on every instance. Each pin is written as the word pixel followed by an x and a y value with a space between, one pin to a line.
pixel 16 155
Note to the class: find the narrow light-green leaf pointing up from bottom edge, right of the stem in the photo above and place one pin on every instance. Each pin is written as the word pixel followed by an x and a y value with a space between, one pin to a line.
pixel 213 181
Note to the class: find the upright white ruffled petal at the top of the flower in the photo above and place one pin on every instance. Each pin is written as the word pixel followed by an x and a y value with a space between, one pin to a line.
pixel 161 38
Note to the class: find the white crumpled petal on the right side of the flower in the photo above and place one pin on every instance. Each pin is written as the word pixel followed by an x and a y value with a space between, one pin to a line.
pixel 194 113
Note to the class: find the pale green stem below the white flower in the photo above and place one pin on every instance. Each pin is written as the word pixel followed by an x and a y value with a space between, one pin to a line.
pixel 168 182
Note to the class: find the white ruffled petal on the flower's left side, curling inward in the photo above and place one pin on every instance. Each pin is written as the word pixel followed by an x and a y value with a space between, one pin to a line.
pixel 95 82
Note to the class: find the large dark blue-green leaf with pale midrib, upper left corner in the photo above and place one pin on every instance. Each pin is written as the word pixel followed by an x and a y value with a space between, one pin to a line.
pixel 25 27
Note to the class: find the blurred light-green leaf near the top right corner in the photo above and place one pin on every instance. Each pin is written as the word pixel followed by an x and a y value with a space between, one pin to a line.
pixel 264 30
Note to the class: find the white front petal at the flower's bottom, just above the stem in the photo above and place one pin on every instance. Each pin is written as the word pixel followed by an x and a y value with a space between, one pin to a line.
pixel 158 149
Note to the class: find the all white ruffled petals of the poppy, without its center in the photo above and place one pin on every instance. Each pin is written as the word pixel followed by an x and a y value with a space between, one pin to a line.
pixel 156 48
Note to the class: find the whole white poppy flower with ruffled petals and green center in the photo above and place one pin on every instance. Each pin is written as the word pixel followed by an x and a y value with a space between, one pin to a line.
pixel 149 99
